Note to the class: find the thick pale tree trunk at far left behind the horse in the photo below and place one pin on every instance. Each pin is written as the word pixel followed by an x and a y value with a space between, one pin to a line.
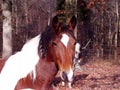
pixel 7 28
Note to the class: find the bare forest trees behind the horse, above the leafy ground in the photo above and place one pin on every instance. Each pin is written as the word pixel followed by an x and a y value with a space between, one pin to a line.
pixel 98 27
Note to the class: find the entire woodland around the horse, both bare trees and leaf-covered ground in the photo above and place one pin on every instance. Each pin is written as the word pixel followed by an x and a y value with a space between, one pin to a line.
pixel 97 30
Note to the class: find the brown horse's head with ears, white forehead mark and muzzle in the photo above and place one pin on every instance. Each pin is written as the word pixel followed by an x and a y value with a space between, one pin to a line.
pixel 63 47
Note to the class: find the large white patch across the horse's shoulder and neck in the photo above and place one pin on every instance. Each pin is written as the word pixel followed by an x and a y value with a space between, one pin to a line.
pixel 20 65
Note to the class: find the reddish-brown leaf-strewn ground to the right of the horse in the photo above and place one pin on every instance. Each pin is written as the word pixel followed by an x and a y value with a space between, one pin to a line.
pixel 98 75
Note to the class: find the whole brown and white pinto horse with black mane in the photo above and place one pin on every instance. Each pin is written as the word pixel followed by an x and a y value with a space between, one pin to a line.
pixel 40 59
